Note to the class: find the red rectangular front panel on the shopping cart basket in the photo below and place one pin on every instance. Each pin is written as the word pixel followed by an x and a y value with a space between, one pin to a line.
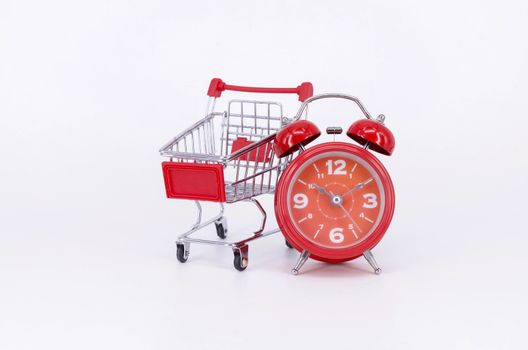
pixel 204 182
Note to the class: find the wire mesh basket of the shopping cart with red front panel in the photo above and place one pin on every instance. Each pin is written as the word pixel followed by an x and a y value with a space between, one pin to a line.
pixel 227 156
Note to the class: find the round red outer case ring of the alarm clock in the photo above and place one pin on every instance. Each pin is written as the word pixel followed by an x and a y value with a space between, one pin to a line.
pixel 317 252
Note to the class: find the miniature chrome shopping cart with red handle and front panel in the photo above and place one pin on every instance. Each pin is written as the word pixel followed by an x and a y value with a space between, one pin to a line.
pixel 228 157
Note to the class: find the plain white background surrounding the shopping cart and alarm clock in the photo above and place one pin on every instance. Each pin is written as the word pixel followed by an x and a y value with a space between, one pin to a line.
pixel 90 90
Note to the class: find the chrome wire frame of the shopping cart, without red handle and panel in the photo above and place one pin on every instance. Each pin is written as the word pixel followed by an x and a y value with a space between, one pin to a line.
pixel 250 171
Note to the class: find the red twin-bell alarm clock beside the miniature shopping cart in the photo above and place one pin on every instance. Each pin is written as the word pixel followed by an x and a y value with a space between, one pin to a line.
pixel 335 200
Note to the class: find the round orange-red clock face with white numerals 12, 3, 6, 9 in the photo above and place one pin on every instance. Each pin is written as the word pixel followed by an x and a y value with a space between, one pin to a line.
pixel 335 199
